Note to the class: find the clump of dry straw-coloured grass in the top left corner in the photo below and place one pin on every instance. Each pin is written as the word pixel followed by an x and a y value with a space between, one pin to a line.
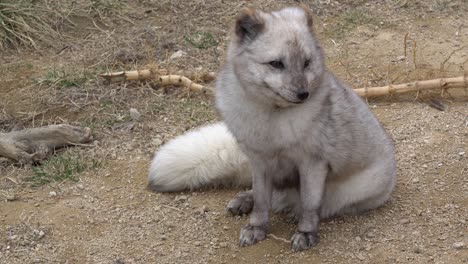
pixel 29 23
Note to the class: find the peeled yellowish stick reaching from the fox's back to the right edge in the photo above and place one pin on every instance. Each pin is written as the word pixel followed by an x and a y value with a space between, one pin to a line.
pixel 442 84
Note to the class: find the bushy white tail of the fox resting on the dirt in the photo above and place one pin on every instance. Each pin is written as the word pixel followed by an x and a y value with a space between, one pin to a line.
pixel 208 156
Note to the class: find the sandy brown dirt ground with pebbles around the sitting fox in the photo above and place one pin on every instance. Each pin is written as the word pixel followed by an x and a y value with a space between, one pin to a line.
pixel 108 215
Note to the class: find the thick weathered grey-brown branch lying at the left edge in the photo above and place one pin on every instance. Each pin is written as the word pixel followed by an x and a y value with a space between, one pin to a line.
pixel 32 145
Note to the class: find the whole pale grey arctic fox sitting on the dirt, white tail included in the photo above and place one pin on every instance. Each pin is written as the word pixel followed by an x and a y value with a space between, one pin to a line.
pixel 307 143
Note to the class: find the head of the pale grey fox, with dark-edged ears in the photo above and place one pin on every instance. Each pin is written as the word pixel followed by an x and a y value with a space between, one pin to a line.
pixel 275 56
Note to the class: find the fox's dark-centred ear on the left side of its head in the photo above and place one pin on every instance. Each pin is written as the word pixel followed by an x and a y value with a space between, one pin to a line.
pixel 249 25
